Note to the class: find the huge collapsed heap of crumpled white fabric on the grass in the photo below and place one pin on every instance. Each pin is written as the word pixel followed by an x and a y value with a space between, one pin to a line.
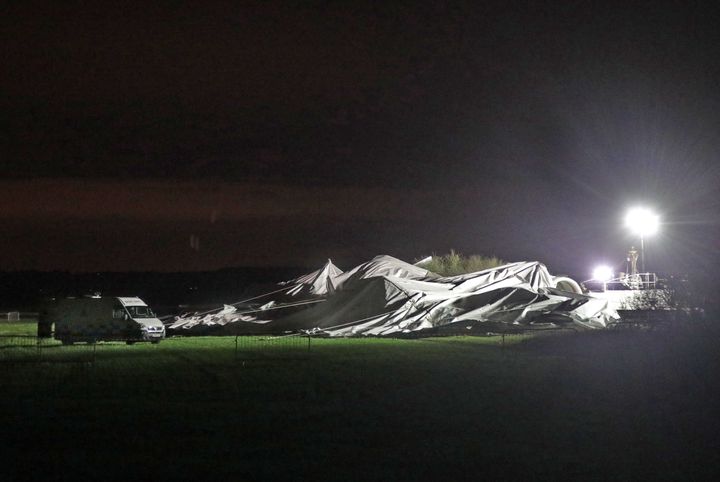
pixel 386 296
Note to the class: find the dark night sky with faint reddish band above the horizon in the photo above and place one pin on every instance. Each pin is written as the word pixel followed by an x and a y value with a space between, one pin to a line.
pixel 175 137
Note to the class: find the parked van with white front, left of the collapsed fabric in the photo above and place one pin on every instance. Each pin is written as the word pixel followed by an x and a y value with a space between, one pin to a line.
pixel 126 319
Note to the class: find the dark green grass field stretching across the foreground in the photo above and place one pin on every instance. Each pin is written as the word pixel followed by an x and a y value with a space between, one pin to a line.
pixel 627 406
